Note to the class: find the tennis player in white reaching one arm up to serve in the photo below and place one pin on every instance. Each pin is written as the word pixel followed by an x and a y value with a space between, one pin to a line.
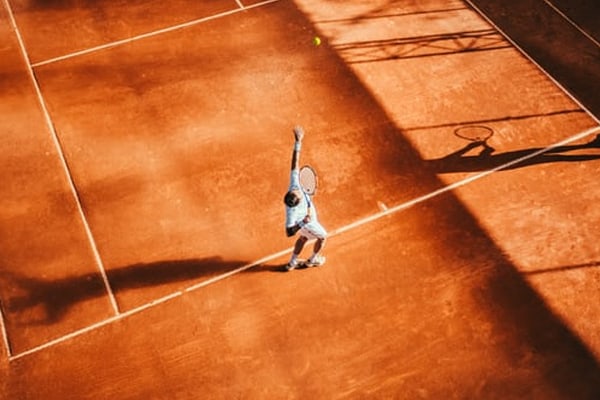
pixel 301 214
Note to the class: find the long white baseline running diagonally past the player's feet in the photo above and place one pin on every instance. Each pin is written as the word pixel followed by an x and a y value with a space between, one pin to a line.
pixel 338 231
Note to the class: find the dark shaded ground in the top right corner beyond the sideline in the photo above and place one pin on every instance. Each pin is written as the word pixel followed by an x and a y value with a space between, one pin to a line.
pixel 554 42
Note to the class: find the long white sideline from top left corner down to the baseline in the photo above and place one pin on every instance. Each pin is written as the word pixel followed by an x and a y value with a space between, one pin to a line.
pixel 63 160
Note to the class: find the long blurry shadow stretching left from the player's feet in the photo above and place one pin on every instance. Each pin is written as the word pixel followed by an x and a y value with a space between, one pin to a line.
pixel 45 301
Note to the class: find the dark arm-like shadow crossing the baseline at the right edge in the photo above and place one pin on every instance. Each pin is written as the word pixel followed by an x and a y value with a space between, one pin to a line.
pixel 487 158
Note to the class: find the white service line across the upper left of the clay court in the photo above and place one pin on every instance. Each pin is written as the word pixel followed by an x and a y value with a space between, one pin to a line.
pixel 151 34
